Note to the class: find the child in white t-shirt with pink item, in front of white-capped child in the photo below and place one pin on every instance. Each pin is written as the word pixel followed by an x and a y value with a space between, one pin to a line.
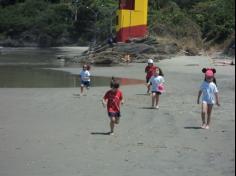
pixel 157 83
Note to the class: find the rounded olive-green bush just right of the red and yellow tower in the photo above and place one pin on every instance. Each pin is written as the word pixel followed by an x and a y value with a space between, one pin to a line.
pixel 175 23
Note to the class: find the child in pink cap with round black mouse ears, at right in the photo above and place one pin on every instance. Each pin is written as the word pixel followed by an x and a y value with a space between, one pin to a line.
pixel 209 93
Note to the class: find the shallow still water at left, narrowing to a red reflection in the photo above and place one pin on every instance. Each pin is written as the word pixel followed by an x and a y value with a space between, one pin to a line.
pixel 26 68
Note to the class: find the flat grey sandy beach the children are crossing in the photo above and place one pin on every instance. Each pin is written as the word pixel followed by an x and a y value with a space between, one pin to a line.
pixel 54 132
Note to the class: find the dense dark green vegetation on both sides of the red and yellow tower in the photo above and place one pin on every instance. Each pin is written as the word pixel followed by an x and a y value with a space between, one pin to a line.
pixel 67 22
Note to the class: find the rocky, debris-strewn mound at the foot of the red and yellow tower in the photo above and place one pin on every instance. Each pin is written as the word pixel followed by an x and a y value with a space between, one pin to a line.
pixel 139 52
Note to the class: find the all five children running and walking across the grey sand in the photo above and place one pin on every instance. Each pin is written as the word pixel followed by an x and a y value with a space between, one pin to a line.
pixel 155 83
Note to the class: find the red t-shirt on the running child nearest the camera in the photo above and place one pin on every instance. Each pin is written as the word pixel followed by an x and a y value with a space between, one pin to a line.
pixel 114 100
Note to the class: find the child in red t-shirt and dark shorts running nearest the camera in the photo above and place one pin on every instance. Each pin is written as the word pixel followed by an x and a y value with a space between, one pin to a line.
pixel 112 99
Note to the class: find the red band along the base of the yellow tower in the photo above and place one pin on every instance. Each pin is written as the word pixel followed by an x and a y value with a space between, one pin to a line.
pixel 131 32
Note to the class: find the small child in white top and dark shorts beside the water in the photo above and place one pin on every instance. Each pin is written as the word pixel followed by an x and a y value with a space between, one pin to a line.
pixel 85 78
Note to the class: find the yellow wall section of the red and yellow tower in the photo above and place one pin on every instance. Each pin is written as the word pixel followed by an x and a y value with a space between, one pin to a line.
pixel 128 18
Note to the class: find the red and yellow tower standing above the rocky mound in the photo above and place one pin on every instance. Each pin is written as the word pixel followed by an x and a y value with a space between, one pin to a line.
pixel 131 19
